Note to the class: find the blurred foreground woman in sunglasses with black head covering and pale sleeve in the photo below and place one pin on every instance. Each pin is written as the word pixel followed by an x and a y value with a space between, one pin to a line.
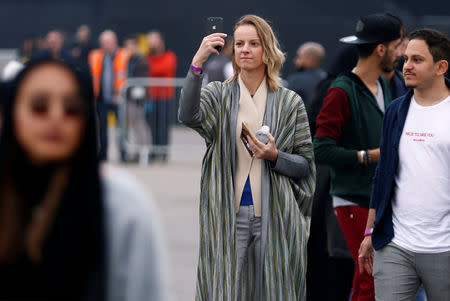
pixel 67 232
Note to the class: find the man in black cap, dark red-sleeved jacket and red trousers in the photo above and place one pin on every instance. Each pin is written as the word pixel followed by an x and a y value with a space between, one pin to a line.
pixel 349 131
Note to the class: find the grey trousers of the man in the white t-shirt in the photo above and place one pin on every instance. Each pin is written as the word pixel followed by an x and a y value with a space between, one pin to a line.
pixel 398 274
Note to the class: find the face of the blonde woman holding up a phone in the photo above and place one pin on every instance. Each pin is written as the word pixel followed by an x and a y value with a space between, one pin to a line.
pixel 248 50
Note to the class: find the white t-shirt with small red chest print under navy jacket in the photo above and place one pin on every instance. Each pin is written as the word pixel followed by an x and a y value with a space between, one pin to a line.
pixel 421 204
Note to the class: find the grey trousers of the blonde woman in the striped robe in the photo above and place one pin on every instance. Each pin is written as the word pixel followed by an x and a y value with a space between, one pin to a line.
pixel 248 229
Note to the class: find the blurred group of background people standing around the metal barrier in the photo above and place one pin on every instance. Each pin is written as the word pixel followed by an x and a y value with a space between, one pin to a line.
pixel 110 65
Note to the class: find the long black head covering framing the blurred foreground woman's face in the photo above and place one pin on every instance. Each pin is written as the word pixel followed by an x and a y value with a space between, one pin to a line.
pixel 73 247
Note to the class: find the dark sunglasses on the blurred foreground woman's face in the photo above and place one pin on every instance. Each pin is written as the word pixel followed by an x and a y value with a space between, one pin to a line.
pixel 72 108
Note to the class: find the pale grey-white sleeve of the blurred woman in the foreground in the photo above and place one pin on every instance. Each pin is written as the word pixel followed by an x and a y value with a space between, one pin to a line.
pixel 137 265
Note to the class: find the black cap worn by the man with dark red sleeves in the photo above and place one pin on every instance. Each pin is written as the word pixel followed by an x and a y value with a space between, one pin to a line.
pixel 376 28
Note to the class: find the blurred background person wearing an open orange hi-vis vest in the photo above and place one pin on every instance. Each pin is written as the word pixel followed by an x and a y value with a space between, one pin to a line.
pixel 109 72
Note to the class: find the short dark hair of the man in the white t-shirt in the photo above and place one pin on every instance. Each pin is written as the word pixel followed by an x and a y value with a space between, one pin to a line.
pixel 438 43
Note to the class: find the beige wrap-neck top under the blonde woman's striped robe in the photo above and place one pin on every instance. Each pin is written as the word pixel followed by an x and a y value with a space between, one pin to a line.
pixel 251 110
